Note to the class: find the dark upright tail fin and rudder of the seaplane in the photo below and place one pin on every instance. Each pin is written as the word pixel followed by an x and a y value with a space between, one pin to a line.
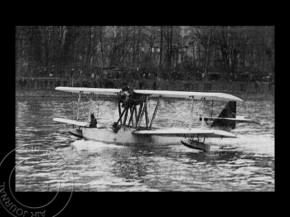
pixel 228 112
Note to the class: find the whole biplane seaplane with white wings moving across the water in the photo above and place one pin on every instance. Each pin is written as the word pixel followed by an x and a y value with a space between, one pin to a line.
pixel 134 125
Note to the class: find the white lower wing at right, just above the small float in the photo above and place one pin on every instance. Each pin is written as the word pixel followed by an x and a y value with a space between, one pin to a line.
pixel 185 132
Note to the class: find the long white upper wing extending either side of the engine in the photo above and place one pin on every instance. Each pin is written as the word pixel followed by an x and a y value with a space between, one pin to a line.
pixel 155 93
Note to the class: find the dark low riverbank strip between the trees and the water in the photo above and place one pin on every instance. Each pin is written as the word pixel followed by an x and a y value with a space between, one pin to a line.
pixel 47 85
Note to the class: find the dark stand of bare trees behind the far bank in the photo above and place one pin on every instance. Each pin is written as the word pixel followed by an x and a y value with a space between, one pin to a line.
pixel 165 52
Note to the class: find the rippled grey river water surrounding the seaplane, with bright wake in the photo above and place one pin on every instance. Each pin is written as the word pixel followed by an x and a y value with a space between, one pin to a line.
pixel 108 167
